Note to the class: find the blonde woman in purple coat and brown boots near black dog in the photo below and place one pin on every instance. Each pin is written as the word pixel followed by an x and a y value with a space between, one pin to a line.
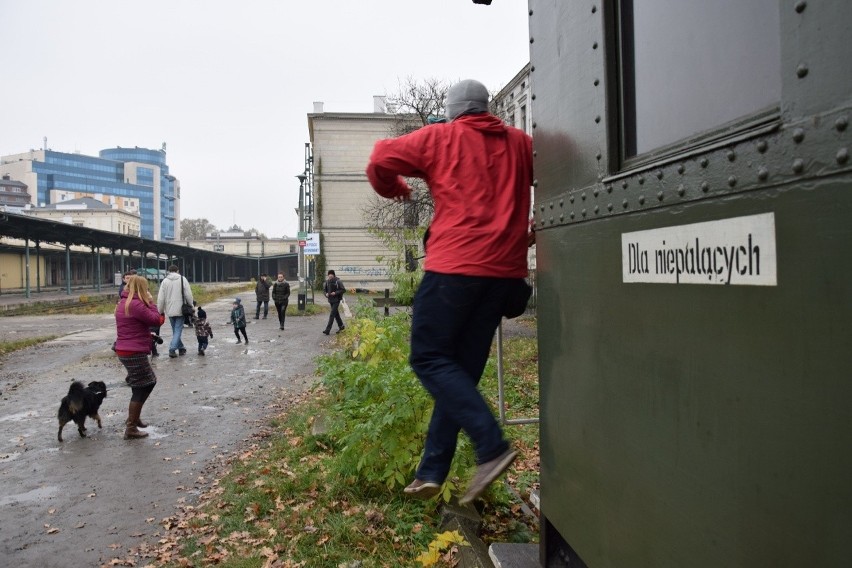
pixel 135 314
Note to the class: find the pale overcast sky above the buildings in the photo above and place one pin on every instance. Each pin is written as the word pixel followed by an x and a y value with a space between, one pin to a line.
pixel 227 85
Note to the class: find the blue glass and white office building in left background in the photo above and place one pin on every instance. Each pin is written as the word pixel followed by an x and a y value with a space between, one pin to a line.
pixel 132 174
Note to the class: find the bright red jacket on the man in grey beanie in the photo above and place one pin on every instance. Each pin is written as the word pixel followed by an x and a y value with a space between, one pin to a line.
pixel 479 172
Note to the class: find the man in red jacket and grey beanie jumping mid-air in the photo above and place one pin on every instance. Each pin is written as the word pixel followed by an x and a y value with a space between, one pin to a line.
pixel 479 173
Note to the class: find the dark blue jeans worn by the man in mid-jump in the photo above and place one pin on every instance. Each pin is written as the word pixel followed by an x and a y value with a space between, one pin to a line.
pixel 453 326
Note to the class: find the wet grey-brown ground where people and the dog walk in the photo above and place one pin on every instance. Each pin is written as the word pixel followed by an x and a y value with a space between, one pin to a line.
pixel 86 501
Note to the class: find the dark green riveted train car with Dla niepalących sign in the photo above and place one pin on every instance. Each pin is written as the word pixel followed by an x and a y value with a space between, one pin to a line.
pixel 694 227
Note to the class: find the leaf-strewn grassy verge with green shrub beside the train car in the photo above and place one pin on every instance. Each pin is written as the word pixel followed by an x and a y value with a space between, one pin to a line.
pixel 320 484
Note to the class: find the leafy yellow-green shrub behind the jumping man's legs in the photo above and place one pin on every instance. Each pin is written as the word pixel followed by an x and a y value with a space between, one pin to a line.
pixel 381 412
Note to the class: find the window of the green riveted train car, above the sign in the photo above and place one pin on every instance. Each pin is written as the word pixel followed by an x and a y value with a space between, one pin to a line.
pixel 691 66
